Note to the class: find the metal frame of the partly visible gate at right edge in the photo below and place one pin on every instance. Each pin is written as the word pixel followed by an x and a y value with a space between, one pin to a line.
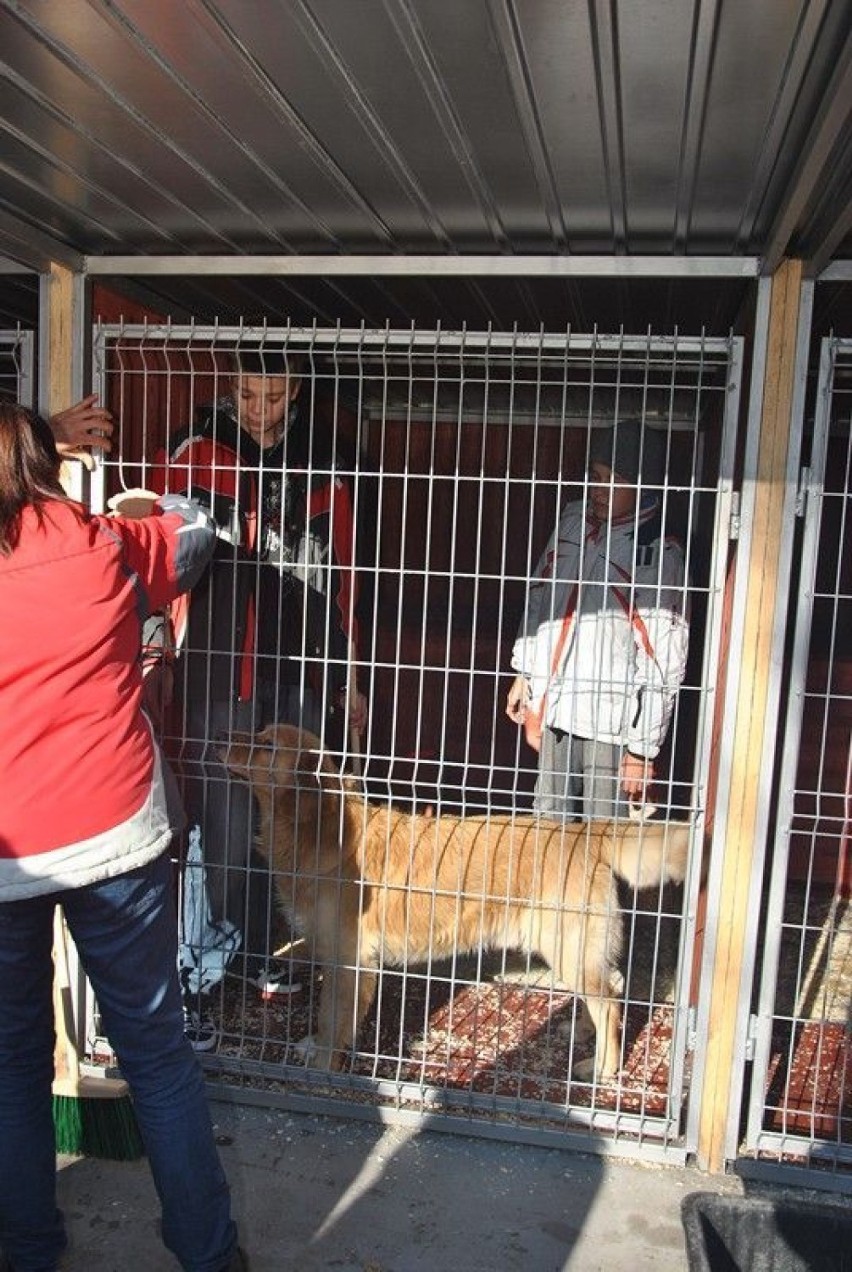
pixel 757 1138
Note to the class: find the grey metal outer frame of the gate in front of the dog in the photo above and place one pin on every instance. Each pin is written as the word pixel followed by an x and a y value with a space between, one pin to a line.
pixel 662 1139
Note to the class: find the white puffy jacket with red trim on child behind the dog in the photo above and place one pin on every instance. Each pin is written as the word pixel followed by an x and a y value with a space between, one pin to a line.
pixel 606 635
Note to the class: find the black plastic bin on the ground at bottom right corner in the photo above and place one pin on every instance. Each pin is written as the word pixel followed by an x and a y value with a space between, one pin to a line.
pixel 753 1234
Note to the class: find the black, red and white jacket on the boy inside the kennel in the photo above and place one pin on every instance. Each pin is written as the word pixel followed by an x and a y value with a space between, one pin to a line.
pixel 278 604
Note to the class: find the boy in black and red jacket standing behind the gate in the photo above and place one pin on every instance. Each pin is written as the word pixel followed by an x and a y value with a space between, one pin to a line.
pixel 269 635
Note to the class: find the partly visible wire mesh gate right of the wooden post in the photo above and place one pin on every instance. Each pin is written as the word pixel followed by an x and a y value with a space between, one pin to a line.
pixel 802 1096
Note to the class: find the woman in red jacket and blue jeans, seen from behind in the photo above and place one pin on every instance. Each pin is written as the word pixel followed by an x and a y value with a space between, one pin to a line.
pixel 85 825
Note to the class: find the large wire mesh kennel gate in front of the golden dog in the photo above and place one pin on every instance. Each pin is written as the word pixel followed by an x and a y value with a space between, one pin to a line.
pixel 406 930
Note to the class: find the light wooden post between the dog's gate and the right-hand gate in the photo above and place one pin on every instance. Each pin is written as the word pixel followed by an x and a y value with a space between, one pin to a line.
pixel 741 827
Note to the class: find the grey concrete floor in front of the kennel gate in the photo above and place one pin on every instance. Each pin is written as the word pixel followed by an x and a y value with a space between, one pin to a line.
pixel 316 1192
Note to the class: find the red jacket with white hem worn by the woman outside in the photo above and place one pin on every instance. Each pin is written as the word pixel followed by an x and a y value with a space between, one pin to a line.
pixel 81 792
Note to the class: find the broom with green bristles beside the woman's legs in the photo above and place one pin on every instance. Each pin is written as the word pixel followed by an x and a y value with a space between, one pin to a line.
pixel 92 1116
